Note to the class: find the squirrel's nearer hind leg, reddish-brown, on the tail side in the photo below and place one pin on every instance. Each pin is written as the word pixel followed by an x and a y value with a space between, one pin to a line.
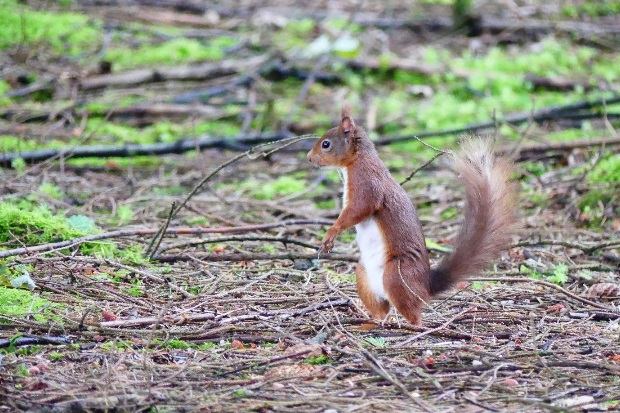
pixel 404 286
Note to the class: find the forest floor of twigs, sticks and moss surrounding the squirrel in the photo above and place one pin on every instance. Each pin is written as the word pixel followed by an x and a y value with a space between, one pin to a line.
pixel 115 117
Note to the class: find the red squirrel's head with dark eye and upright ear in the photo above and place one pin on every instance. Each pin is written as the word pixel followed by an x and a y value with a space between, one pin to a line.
pixel 338 146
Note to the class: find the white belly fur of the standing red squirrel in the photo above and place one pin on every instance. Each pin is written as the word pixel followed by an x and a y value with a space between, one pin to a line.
pixel 372 248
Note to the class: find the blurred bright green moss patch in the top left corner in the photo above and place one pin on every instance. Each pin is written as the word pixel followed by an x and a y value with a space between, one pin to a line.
pixel 65 32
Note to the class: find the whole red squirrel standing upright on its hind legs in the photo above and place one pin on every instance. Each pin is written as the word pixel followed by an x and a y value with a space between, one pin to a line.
pixel 394 267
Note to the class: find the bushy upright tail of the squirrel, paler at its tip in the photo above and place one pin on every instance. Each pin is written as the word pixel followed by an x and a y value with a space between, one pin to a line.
pixel 489 214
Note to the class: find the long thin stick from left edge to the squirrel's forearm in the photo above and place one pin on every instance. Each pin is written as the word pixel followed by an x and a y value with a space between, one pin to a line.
pixel 150 231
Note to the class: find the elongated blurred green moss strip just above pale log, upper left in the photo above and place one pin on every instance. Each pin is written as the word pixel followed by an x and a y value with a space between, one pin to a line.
pixel 169 53
